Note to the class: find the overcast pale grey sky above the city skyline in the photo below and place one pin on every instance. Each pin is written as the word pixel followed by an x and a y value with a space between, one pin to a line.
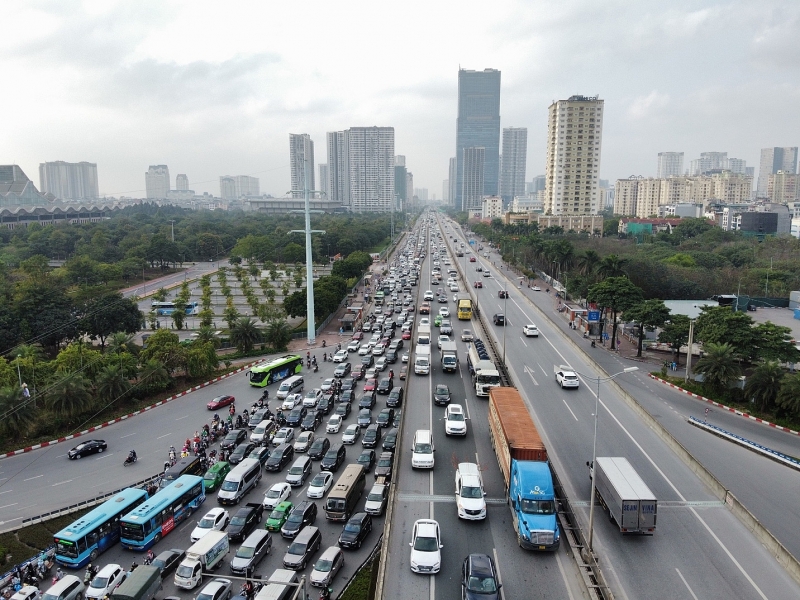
pixel 215 88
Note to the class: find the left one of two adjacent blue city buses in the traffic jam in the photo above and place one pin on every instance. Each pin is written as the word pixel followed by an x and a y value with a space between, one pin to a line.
pixel 95 532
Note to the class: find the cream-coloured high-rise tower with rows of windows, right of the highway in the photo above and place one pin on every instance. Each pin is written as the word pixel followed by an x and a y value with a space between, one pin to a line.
pixel 574 141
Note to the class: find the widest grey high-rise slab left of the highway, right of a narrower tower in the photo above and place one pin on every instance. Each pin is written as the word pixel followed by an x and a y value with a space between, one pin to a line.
pixel 371 156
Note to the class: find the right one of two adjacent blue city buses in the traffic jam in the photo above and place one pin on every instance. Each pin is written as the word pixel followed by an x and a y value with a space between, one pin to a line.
pixel 148 523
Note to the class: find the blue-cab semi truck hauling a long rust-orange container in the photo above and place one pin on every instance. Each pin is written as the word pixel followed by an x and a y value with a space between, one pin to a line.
pixel 526 472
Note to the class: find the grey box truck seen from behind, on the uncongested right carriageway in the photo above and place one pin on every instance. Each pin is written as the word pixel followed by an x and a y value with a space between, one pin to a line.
pixel 629 501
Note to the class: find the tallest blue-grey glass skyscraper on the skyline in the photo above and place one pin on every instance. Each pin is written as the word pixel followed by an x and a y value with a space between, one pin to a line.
pixel 478 126
